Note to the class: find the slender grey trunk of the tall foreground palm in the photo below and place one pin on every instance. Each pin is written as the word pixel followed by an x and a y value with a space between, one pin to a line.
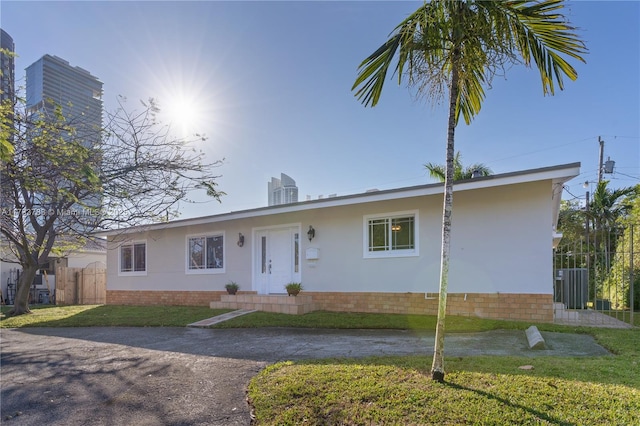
pixel 437 368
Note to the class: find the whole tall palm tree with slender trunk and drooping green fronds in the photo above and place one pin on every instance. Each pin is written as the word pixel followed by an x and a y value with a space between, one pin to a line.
pixel 457 46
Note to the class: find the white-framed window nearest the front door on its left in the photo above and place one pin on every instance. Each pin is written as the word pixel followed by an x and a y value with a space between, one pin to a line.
pixel 205 254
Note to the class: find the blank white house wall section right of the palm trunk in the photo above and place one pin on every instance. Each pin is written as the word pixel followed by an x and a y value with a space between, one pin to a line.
pixel 501 240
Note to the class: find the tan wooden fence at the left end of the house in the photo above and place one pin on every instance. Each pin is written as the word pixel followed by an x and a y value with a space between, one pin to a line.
pixel 81 286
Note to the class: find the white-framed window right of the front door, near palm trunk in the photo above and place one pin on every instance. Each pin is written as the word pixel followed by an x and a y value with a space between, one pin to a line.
pixel 391 234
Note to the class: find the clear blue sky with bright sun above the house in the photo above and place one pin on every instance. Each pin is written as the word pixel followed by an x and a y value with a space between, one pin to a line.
pixel 269 83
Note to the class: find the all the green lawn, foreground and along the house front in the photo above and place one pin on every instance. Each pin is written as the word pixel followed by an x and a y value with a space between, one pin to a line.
pixel 480 390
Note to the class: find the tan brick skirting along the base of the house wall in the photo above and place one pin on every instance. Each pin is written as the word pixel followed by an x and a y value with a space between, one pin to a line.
pixel 507 306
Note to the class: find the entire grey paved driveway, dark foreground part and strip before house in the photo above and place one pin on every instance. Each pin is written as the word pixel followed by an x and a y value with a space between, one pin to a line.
pixel 190 376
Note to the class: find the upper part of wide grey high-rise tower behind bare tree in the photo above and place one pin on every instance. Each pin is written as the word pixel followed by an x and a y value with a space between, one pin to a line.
pixel 77 91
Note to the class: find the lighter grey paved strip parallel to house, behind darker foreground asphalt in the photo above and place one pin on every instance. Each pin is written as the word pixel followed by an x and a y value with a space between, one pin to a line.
pixel 275 344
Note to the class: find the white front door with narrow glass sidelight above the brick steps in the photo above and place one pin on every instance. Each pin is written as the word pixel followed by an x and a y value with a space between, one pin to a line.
pixel 277 260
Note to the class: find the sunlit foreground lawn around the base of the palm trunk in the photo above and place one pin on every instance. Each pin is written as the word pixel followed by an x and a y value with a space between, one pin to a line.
pixel 478 390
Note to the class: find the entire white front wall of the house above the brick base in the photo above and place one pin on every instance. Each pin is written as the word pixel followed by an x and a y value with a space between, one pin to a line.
pixel 501 242
